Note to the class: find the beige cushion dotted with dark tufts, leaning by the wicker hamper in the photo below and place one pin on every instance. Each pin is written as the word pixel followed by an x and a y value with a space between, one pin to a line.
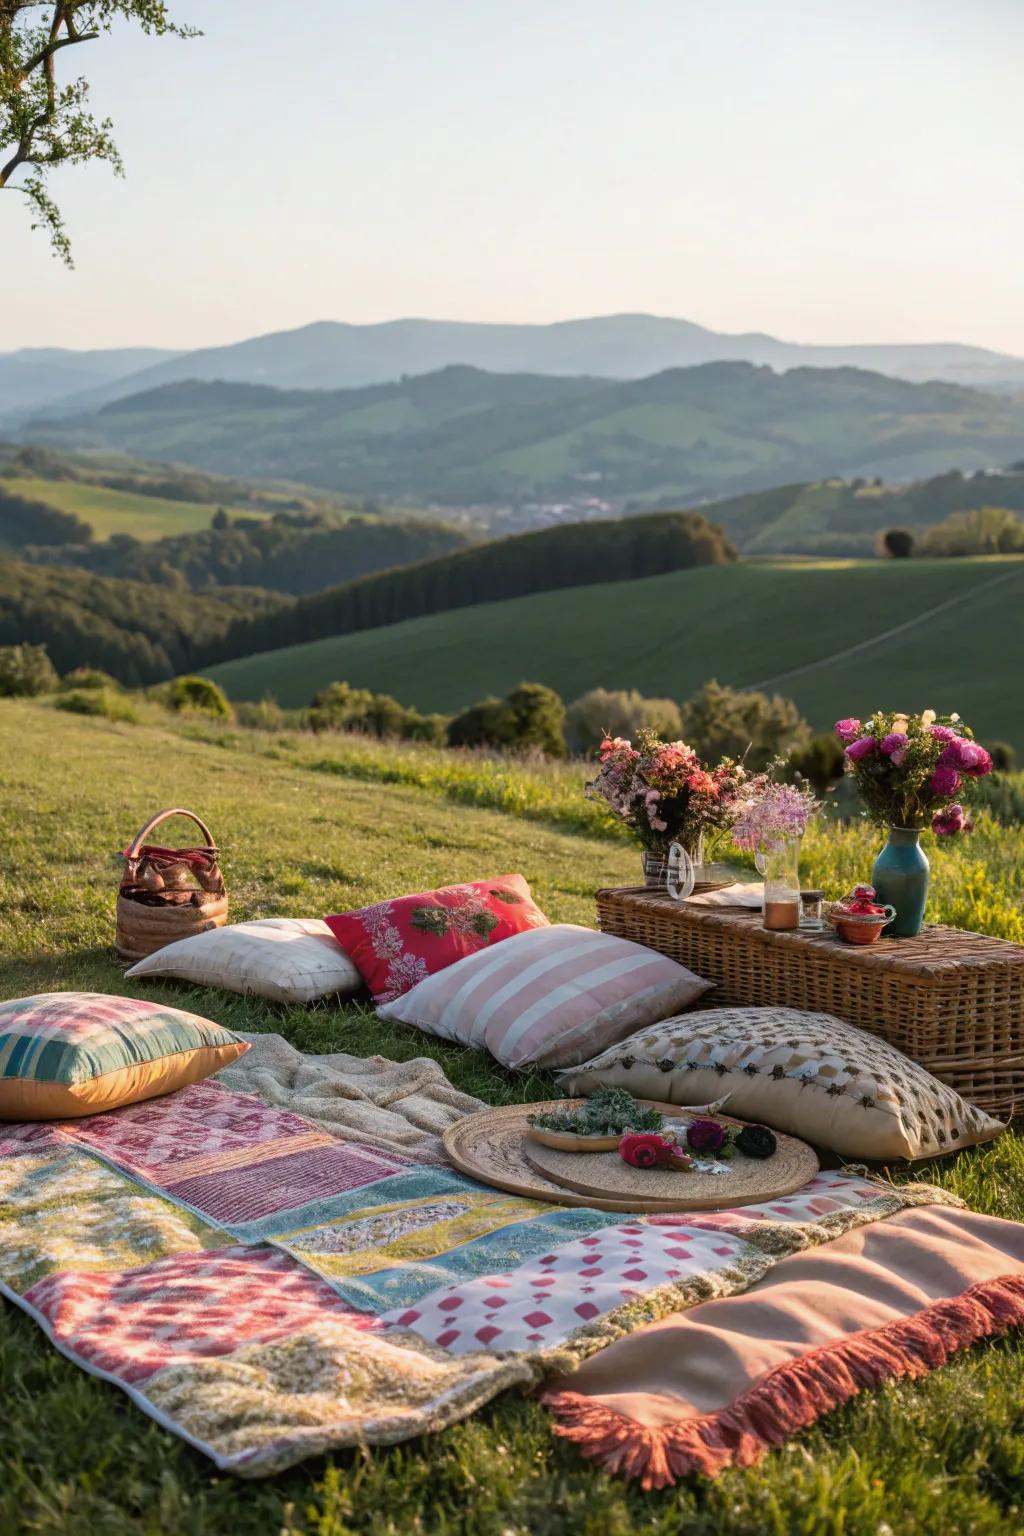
pixel 807 1074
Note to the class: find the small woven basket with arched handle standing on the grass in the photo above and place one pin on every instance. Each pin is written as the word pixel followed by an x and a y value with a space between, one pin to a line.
pixel 168 893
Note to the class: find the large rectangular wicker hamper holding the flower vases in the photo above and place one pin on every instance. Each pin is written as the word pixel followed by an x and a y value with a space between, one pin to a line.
pixel 951 1001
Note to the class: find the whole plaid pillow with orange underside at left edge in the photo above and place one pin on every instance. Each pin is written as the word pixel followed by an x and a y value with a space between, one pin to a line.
pixel 67 1054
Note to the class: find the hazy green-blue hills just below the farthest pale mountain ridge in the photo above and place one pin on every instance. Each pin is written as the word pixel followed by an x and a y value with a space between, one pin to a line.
pixel 464 437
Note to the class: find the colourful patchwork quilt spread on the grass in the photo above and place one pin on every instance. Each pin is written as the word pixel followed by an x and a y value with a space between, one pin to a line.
pixel 268 1291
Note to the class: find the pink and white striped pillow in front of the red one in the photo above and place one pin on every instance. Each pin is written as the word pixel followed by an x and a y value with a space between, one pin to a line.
pixel 550 996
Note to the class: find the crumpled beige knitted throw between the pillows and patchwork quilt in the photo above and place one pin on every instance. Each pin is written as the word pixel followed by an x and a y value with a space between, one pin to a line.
pixel 398 1107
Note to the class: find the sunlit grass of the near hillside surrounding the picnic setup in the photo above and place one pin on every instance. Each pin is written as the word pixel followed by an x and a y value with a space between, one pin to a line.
pixel 302 838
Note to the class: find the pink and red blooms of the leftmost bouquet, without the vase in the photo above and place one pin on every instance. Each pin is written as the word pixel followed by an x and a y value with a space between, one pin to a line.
pixel 664 793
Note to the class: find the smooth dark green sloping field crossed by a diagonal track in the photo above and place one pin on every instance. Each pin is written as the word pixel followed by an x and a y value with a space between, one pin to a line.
pixel 745 624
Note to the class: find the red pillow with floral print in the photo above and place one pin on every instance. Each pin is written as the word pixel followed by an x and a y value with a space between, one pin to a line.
pixel 398 944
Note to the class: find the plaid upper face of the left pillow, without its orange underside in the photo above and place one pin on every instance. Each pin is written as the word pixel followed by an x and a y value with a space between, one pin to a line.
pixel 76 1038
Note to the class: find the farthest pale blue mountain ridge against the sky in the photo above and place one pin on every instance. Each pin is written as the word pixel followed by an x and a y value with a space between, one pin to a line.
pixel 335 356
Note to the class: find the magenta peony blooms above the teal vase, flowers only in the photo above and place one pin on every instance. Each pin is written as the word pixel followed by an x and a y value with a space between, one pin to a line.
pixel 914 770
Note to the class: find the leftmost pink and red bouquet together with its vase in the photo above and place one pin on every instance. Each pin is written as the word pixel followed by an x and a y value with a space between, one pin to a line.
pixel 676 807
